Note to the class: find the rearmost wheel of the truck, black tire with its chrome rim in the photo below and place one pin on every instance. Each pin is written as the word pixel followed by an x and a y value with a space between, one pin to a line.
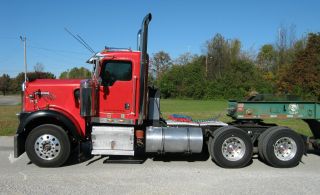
pixel 283 148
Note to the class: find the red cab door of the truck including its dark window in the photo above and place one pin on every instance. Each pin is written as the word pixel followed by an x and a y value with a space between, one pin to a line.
pixel 116 89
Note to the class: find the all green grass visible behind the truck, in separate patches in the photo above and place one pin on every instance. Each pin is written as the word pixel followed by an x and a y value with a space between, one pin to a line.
pixel 197 109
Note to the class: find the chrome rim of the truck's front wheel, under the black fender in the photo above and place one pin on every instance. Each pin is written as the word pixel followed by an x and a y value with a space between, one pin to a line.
pixel 47 147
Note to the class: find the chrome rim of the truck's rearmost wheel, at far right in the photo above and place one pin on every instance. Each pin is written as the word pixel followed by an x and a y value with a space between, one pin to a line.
pixel 285 148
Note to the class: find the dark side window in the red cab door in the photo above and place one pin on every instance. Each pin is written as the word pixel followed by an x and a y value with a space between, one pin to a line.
pixel 113 71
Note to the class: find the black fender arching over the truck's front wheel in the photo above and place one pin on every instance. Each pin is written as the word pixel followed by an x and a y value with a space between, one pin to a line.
pixel 26 118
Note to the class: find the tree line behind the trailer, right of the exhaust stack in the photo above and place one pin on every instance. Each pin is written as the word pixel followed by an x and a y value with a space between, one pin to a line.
pixel 224 71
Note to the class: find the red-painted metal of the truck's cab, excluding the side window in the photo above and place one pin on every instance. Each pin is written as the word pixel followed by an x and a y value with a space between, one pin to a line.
pixel 112 99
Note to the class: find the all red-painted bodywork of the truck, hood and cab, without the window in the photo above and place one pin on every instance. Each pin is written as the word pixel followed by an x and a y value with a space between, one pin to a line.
pixel 58 95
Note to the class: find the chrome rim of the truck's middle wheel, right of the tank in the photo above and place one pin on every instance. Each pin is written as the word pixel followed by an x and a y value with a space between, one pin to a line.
pixel 233 148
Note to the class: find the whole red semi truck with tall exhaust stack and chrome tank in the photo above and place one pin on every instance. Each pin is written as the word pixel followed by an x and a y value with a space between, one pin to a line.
pixel 118 114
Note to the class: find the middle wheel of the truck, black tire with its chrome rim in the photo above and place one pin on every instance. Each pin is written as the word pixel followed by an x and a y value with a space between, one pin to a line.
pixel 226 137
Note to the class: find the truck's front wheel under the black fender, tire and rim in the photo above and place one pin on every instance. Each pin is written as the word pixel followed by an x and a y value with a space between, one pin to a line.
pixel 48 146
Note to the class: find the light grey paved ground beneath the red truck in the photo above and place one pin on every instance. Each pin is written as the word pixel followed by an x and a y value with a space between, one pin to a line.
pixel 18 176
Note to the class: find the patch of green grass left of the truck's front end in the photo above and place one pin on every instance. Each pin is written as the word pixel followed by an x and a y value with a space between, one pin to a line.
pixel 8 119
